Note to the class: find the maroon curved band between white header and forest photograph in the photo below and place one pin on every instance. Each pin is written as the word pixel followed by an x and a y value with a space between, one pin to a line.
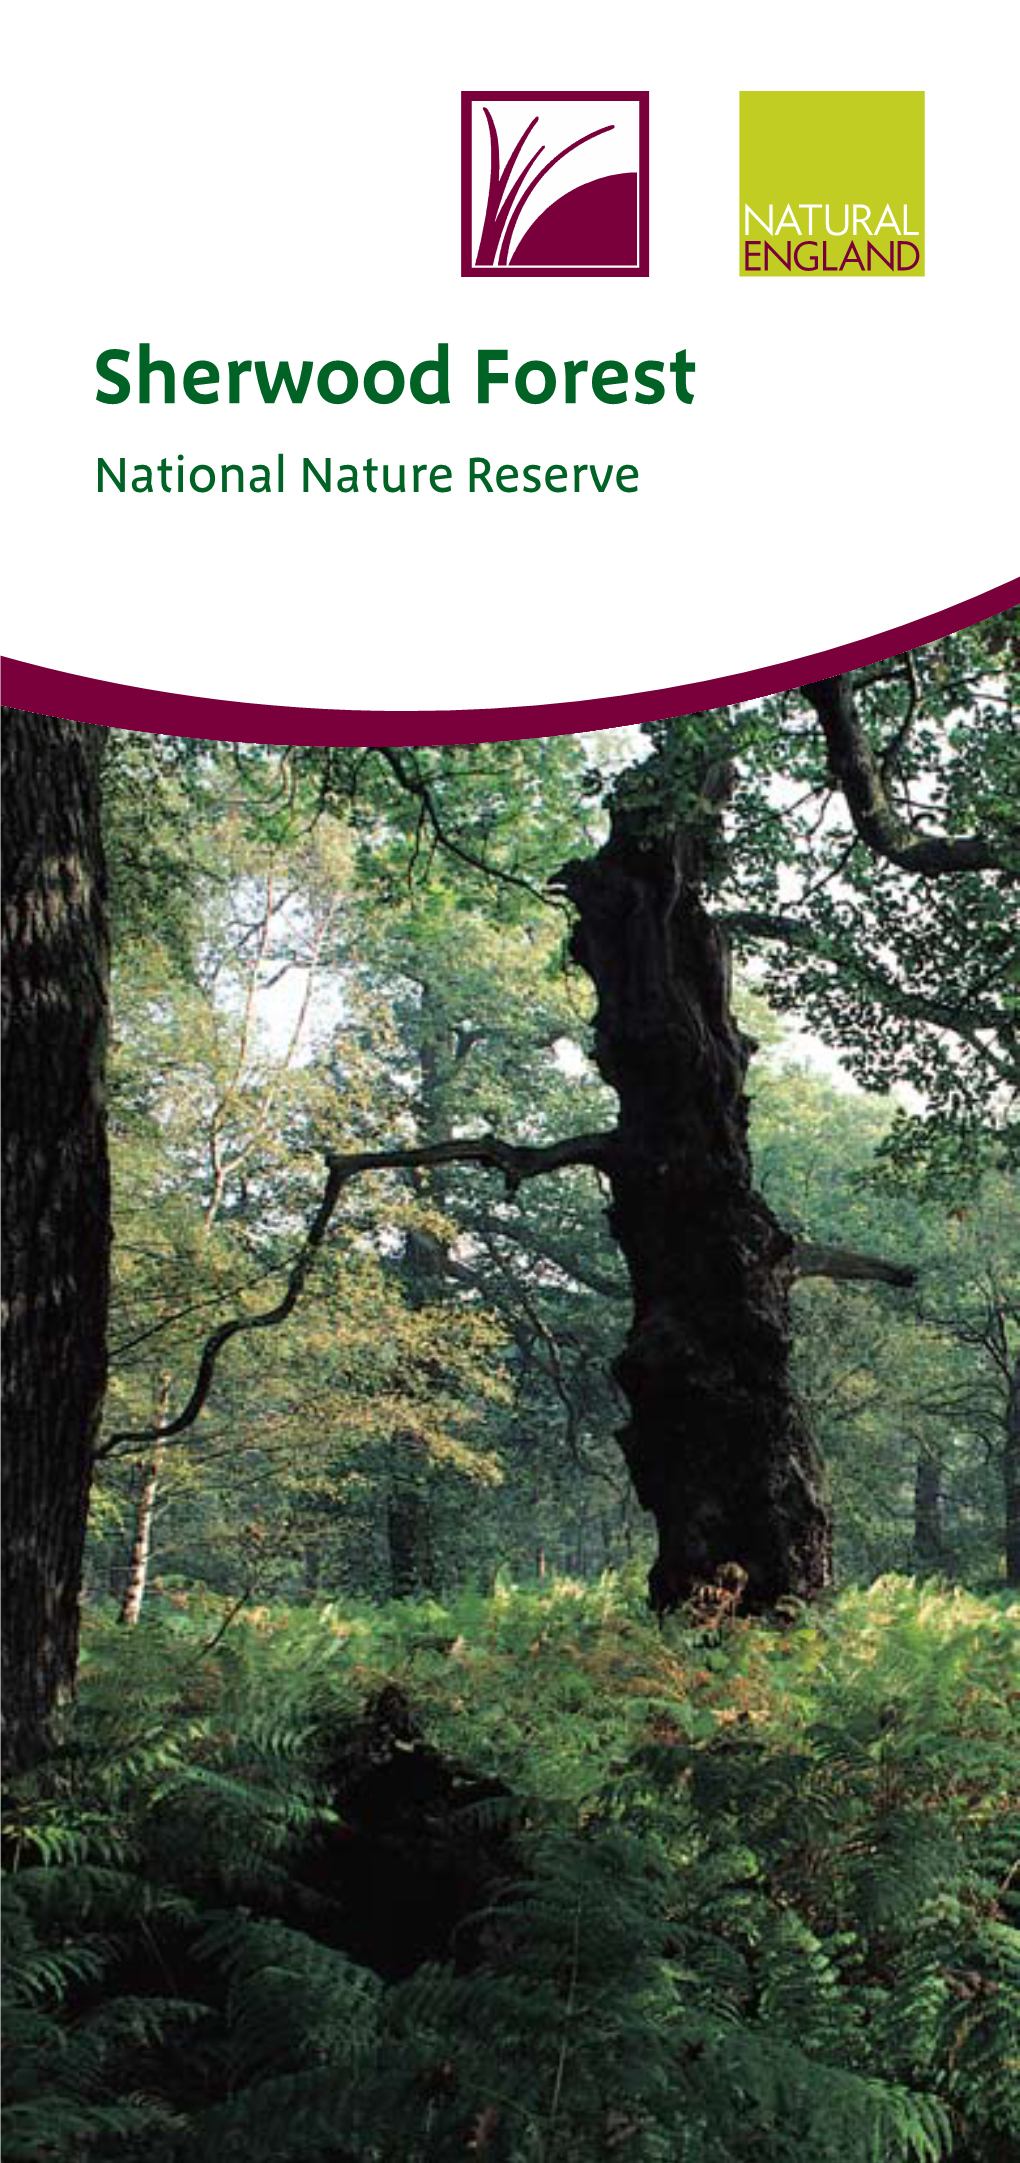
pixel 124 706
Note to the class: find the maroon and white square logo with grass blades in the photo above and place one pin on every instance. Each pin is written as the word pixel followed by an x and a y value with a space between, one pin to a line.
pixel 554 183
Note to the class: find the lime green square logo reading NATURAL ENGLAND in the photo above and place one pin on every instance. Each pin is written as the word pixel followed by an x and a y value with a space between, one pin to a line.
pixel 833 185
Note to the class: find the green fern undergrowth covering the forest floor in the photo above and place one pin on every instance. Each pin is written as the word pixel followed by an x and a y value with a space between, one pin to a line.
pixel 757 1892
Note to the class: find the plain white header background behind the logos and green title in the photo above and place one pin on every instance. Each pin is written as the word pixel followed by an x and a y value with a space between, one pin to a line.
pixel 286 183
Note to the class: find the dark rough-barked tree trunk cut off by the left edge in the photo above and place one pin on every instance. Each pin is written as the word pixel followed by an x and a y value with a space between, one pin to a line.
pixel 57 1219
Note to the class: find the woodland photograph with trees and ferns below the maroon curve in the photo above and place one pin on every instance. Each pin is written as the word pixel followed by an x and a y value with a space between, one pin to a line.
pixel 511 1448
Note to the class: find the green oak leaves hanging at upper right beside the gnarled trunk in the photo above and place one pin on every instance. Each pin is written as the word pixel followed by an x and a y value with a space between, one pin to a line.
pixel 911 979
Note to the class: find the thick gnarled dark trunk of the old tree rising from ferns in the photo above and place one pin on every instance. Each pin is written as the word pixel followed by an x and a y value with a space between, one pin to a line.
pixel 716 1444
